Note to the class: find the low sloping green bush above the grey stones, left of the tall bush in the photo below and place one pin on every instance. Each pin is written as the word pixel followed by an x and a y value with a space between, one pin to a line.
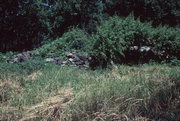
pixel 74 39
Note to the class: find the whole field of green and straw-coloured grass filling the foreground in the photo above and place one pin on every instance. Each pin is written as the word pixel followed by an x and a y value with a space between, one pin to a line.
pixel 37 91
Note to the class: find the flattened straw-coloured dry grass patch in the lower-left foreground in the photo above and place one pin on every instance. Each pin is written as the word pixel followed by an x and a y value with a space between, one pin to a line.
pixel 46 108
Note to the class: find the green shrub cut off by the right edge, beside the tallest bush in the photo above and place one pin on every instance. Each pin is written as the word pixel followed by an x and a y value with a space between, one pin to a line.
pixel 166 42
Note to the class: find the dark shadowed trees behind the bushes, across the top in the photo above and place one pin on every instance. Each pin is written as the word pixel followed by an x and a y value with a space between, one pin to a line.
pixel 27 24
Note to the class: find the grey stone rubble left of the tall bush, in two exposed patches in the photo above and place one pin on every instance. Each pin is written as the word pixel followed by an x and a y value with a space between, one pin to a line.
pixel 75 59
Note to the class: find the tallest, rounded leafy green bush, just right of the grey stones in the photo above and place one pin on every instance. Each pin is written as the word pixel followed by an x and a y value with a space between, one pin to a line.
pixel 115 36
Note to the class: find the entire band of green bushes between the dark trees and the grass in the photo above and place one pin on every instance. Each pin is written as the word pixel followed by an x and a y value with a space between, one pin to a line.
pixel 113 40
